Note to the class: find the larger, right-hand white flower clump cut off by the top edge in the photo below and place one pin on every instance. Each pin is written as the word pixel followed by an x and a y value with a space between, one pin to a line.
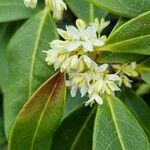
pixel 57 7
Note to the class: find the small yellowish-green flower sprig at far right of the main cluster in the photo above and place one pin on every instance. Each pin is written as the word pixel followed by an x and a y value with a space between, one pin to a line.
pixel 124 71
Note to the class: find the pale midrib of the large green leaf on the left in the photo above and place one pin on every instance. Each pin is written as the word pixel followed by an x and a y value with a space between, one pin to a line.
pixel 35 48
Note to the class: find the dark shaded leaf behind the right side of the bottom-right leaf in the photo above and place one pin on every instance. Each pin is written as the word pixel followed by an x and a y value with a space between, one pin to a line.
pixel 137 107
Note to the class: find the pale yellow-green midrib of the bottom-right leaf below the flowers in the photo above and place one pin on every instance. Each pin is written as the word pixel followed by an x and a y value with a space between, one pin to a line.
pixel 115 123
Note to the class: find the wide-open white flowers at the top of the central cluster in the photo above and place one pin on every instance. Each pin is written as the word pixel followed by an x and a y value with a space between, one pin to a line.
pixel 82 36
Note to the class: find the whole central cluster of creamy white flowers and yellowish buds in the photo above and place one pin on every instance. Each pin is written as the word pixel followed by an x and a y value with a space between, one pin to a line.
pixel 73 56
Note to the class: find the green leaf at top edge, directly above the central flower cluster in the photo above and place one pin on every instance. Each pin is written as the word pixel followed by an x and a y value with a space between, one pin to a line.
pixel 83 9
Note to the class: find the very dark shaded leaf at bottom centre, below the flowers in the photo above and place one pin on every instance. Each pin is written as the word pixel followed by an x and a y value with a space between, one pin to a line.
pixel 75 132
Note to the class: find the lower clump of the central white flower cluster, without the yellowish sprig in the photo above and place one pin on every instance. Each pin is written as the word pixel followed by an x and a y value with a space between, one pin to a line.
pixel 95 82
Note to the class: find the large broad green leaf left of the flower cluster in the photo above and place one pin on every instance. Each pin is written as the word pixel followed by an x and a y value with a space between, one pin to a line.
pixel 28 69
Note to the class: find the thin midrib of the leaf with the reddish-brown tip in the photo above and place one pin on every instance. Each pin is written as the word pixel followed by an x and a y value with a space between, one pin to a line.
pixel 42 114
